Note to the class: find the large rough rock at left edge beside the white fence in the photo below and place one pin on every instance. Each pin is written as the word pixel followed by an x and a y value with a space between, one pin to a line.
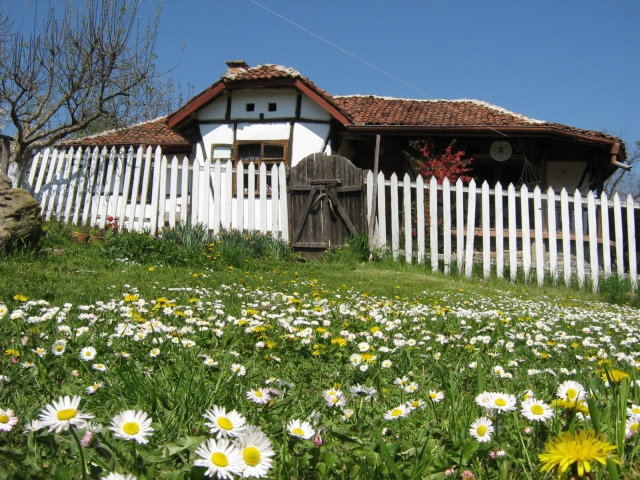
pixel 20 218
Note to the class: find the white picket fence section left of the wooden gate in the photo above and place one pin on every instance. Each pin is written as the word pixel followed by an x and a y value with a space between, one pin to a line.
pixel 145 190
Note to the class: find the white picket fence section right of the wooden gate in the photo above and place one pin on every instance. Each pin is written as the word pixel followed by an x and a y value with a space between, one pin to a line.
pixel 545 232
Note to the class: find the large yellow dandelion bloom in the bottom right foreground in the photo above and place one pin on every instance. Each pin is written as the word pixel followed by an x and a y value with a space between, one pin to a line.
pixel 576 450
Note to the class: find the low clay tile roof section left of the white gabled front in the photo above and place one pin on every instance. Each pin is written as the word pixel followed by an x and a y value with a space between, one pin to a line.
pixel 152 132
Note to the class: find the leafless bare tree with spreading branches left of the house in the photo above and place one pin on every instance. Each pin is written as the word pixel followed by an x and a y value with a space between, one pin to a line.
pixel 79 66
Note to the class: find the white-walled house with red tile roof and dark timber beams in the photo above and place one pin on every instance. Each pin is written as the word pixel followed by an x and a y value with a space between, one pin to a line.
pixel 273 114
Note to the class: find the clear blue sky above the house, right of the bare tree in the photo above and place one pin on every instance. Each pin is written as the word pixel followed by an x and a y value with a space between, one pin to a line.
pixel 571 62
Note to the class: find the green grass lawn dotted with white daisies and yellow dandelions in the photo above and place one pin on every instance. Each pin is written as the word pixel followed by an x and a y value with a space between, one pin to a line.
pixel 191 363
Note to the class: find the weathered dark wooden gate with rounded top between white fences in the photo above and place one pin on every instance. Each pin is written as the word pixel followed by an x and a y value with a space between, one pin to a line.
pixel 327 199
